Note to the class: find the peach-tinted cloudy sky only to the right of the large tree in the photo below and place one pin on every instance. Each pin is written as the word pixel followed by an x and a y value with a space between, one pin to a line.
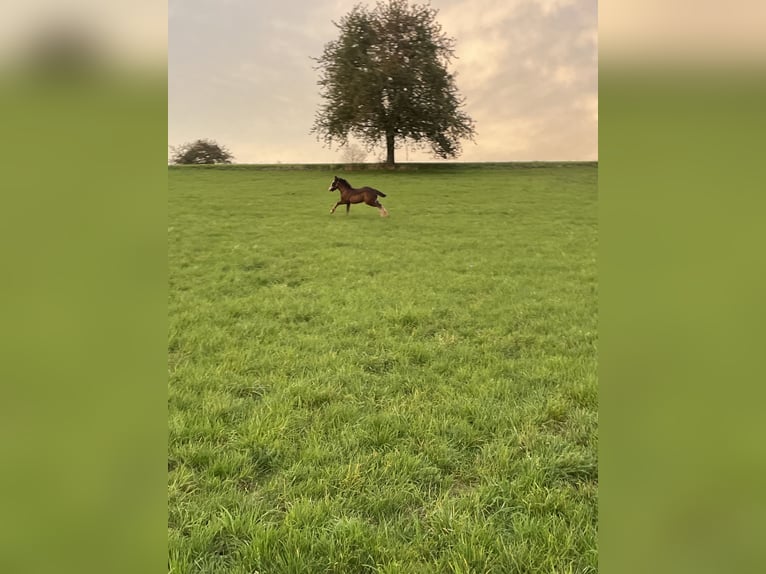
pixel 525 69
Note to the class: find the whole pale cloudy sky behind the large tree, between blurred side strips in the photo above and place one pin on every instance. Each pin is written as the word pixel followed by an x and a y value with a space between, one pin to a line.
pixel 240 72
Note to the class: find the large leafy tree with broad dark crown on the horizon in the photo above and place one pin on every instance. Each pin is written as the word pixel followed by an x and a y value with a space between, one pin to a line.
pixel 385 79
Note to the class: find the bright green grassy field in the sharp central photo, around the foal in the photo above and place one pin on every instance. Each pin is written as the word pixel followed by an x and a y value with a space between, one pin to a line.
pixel 411 394
